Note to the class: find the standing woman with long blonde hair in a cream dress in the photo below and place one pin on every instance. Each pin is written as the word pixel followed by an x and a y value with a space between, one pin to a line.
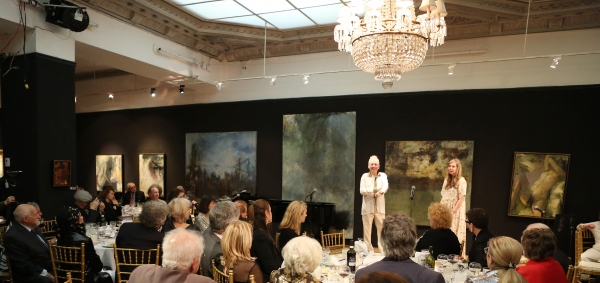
pixel 454 191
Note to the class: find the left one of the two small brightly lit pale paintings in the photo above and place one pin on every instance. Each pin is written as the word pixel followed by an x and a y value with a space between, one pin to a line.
pixel 109 172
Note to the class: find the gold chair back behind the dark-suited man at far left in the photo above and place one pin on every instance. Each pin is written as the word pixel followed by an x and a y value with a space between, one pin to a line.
pixel 68 260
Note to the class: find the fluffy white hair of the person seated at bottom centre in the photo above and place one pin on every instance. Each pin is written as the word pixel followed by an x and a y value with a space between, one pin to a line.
pixel 302 255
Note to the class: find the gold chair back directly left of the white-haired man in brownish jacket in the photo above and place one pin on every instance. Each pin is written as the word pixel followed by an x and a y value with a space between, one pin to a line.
pixel 126 260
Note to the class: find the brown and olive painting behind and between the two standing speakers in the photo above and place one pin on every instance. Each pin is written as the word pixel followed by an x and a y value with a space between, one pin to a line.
pixel 423 164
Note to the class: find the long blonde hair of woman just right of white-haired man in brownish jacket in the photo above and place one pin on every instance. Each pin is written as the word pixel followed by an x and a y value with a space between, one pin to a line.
pixel 236 243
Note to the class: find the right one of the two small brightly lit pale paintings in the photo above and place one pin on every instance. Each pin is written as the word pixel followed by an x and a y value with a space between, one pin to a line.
pixel 152 171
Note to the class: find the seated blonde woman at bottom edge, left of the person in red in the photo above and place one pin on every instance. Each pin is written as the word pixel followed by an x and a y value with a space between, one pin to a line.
pixel 502 256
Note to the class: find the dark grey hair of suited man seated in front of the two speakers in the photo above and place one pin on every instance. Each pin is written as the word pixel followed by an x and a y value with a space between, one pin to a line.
pixel 398 236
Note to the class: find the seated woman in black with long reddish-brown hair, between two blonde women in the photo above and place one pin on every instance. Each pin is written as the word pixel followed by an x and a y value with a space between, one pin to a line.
pixel 263 246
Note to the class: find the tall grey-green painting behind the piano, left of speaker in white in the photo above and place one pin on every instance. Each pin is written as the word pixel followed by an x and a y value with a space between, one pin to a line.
pixel 319 153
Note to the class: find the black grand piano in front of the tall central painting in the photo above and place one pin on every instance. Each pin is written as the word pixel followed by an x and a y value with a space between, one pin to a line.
pixel 320 215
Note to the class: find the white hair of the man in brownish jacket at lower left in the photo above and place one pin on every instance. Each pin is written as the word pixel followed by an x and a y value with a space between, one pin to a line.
pixel 180 247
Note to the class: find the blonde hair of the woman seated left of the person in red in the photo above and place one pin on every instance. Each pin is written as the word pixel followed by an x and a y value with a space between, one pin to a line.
pixel 505 253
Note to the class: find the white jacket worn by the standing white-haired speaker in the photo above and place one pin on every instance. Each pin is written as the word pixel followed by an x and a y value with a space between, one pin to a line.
pixel 366 189
